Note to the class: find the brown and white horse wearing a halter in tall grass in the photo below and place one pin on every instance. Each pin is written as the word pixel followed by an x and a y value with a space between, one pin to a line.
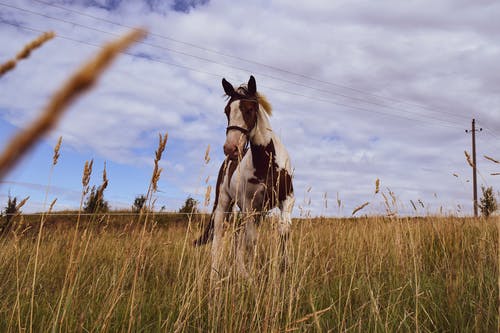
pixel 256 175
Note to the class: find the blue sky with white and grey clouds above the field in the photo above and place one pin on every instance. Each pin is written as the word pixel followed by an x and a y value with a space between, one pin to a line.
pixel 361 90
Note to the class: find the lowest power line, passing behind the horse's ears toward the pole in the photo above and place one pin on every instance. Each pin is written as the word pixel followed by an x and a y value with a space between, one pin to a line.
pixel 328 101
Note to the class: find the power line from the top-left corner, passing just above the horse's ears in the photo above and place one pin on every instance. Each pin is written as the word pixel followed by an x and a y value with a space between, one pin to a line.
pixel 363 100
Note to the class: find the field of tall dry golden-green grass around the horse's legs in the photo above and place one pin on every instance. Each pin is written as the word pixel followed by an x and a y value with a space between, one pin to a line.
pixel 367 274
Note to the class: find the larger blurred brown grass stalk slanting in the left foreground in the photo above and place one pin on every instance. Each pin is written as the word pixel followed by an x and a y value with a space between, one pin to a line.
pixel 81 81
